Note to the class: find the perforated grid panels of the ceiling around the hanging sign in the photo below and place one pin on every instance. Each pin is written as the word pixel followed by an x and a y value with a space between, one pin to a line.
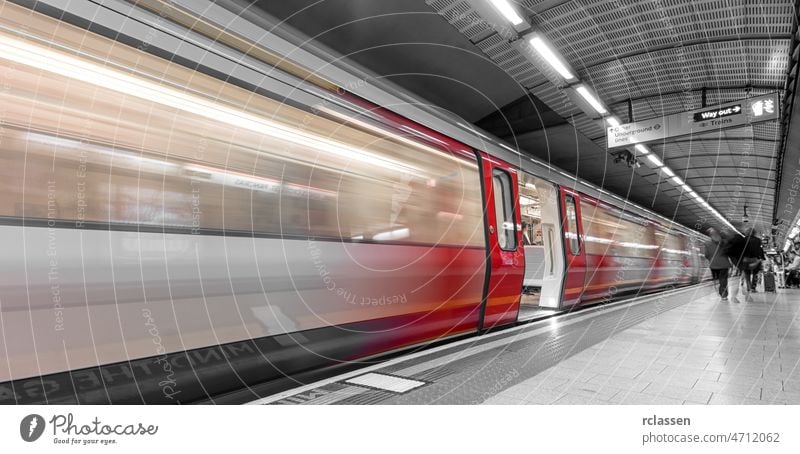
pixel 658 56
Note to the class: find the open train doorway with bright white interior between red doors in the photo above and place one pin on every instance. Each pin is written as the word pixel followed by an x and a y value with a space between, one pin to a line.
pixel 544 253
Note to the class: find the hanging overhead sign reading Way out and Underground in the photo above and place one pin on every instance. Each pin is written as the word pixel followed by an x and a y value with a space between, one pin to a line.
pixel 728 115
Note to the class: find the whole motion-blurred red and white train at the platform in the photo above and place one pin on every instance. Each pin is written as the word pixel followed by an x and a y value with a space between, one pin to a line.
pixel 169 236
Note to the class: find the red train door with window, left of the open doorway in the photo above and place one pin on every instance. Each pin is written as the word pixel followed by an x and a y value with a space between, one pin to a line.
pixel 505 260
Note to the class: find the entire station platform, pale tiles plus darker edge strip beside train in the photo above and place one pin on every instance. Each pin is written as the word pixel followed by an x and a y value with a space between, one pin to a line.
pixel 679 347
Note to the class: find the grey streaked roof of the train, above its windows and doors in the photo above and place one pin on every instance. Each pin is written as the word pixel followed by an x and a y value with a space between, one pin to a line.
pixel 211 53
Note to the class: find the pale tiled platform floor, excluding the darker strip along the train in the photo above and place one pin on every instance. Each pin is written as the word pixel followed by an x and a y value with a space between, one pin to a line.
pixel 703 352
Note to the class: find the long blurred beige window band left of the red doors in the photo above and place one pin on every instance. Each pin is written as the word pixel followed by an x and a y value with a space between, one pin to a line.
pixel 77 149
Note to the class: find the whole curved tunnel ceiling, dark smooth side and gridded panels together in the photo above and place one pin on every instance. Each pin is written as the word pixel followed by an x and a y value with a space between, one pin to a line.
pixel 644 59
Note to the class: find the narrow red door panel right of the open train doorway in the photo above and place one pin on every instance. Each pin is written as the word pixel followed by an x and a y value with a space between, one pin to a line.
pixel 574 281
